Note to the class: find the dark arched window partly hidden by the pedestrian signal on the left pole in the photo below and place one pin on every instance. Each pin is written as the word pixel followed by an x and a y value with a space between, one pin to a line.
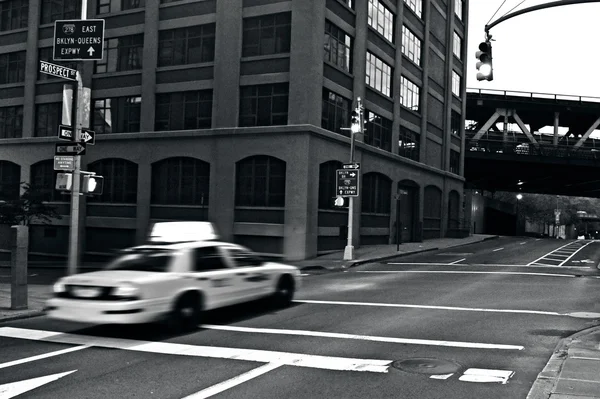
pixel 120 180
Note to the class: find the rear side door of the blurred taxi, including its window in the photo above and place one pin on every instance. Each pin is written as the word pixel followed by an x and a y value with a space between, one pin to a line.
pixel 257 280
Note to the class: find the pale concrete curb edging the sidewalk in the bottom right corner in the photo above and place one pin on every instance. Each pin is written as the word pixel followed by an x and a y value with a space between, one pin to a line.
pixel 546 380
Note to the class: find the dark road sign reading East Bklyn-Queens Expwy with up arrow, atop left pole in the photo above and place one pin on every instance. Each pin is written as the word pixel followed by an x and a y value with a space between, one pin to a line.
pixel 78 39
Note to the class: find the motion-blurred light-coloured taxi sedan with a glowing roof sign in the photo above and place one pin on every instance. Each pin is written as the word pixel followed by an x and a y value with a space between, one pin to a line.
pixel 180 272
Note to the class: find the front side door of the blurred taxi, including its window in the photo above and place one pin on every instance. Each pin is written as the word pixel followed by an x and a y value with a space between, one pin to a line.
pixel 215 277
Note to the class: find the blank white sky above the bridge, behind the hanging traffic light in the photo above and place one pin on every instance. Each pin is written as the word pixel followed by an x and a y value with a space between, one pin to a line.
pixel 547 51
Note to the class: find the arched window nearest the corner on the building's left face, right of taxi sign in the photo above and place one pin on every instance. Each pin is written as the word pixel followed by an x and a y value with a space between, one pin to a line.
pixel 260 181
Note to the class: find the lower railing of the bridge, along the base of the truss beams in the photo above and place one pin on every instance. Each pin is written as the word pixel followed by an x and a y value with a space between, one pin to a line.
pixel 529 149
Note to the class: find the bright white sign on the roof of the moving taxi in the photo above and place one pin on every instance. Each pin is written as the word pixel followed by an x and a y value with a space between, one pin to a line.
pixel 173 232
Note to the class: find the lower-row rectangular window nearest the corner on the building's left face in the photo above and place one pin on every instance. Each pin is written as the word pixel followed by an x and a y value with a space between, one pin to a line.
pixel 264 105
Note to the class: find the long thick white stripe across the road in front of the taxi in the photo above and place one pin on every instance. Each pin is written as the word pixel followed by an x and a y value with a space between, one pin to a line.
pixel 252 355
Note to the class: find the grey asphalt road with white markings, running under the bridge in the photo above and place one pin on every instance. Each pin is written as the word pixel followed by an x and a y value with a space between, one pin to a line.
pixel 470 322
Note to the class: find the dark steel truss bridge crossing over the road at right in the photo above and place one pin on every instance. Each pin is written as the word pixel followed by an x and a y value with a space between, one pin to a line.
pixel 505 150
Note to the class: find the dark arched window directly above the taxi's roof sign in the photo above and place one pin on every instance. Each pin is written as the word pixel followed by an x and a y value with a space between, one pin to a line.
pixel 180 181
